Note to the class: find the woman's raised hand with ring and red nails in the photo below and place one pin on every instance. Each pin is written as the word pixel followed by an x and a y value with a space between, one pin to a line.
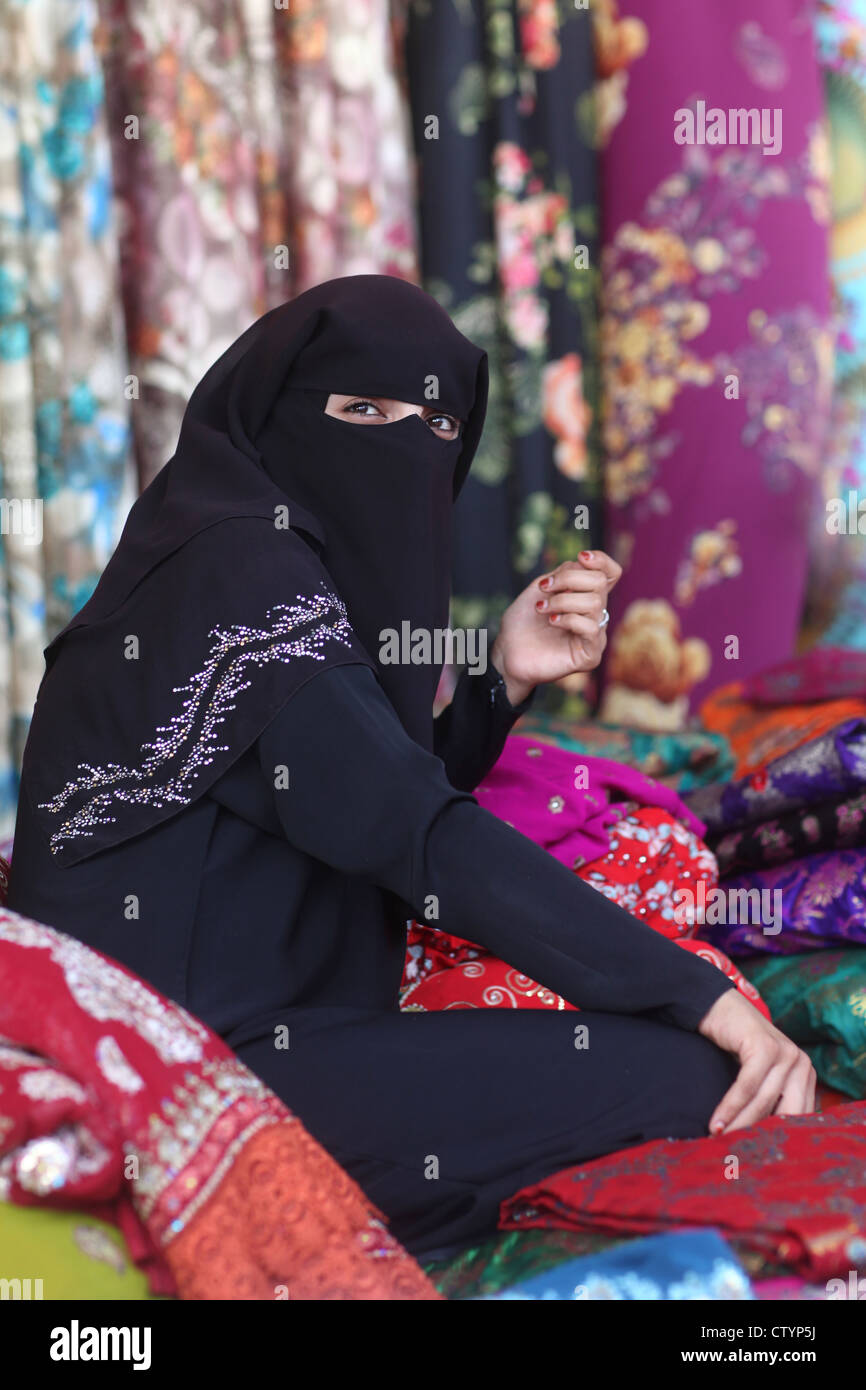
pixel 553 629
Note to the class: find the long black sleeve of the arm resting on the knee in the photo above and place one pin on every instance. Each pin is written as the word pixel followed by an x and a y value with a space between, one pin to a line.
pixel 357 793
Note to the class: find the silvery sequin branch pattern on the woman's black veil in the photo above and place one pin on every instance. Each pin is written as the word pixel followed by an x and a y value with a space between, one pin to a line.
pixel 184 749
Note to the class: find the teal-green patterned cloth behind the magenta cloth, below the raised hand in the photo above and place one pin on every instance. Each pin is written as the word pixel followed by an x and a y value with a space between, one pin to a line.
pixel 685 761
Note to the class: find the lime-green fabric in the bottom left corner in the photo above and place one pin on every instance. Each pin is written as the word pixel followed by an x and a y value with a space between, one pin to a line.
pixel 74 1256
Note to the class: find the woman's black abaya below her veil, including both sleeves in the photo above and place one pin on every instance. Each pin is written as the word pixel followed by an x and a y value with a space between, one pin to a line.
pixel 283 908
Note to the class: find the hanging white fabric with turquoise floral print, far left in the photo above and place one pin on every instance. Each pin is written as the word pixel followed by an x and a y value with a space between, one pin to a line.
pixel 63 414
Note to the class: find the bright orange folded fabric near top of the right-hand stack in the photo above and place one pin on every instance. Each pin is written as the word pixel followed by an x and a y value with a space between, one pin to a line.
pixel 760 733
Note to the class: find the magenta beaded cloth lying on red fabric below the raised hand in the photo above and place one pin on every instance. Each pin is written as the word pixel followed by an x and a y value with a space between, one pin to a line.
pixel 566 801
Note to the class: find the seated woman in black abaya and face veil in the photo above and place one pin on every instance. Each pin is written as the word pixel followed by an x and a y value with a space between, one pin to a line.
pixel 231 789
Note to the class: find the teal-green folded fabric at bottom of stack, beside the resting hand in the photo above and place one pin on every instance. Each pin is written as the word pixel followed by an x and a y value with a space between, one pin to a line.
pixel 819 1000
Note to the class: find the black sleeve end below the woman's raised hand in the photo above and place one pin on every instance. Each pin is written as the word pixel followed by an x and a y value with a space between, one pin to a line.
pixel 471 733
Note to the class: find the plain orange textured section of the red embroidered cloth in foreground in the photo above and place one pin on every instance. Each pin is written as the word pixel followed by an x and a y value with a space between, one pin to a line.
pixel 284 1224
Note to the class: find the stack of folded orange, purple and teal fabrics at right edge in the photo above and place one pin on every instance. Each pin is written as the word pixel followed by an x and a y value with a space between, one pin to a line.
pixel 790 837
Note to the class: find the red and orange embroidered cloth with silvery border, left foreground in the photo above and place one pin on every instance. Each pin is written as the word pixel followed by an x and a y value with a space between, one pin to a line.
pixel 119 1102
